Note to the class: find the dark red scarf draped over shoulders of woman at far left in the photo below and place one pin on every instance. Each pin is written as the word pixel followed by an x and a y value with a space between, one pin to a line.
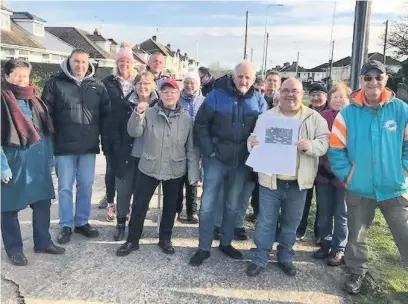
pixel 18 130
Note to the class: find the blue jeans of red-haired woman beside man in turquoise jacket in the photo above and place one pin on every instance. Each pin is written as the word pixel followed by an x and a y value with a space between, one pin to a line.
pixel 332 204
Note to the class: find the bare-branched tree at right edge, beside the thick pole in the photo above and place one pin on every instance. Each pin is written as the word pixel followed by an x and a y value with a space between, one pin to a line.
pixel 397 39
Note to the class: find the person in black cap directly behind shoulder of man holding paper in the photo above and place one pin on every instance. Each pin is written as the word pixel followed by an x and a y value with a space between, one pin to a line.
pixel 318 102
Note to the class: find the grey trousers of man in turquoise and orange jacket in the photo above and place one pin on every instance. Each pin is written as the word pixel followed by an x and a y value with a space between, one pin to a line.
pixel 361 212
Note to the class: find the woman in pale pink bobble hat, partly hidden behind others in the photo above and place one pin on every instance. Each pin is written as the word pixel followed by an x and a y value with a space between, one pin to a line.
pixel 119 86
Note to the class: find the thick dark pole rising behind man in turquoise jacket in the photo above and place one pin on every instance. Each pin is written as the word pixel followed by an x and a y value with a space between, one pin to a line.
pixel 359 41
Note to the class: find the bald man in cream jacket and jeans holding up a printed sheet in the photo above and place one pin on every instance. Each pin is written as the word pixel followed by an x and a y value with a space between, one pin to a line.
pixel 298 136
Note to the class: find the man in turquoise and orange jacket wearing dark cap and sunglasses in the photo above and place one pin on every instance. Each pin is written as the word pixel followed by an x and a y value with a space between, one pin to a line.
pixel 369 153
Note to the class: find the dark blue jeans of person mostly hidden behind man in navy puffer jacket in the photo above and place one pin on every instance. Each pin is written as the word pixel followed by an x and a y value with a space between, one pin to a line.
pixel 242 204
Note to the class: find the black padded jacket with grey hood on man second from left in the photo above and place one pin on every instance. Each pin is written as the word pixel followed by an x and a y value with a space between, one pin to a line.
pixel 79 111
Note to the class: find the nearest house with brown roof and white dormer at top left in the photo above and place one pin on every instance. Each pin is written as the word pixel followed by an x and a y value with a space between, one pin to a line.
pixel 23 36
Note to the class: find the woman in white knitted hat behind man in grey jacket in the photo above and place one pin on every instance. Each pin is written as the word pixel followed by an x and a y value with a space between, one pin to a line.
pixel 191 100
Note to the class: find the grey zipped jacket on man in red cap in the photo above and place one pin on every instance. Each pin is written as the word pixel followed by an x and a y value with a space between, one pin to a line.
pixel 168 148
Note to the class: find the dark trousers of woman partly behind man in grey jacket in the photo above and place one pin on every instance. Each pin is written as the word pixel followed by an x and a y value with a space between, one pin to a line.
pixel 125 188
